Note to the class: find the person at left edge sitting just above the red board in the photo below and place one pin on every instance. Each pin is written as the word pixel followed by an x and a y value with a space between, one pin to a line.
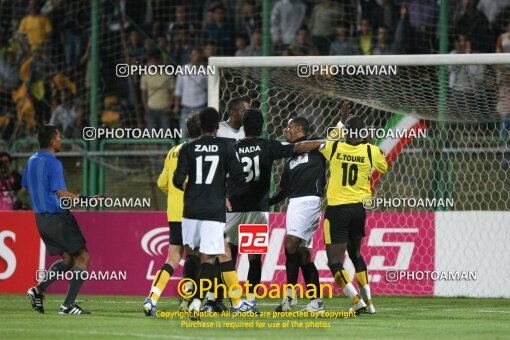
pixel 10 184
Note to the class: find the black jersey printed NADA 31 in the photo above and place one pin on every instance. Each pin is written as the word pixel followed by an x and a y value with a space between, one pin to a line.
pixel 257 156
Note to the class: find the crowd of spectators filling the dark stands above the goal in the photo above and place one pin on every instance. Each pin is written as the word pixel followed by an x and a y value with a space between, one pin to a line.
pixel 46 52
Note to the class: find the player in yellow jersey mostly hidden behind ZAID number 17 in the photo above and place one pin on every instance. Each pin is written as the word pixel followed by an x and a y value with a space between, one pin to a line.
pixel 174 213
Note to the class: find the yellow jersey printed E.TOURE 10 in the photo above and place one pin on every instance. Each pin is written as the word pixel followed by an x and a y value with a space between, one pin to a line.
pixel 350 168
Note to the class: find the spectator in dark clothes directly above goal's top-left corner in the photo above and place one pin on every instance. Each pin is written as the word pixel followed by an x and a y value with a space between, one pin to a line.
pixel 220 31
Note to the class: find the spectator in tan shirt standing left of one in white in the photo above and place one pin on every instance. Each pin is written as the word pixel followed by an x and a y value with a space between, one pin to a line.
pixel 157 92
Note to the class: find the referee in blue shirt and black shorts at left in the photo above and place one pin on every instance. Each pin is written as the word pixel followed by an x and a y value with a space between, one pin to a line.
pixel 43 177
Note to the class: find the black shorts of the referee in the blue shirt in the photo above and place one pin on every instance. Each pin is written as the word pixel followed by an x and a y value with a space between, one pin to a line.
pixel 60 233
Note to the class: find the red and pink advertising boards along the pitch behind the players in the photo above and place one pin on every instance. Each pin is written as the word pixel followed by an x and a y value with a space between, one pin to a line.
pixel 133 245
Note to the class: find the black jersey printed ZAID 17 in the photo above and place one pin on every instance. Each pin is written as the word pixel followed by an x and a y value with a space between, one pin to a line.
pixel 206 162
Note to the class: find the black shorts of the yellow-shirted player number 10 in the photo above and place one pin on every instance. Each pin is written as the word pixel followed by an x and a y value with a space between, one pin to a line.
pixel 344 223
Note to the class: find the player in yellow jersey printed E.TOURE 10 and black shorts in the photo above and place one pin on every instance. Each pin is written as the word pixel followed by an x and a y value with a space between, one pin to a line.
pixel 350 164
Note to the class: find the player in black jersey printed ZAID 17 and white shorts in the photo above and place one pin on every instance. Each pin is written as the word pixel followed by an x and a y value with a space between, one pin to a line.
pixel 202 172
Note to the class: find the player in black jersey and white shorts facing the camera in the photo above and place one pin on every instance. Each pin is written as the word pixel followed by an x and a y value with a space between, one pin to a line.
pixel 303 182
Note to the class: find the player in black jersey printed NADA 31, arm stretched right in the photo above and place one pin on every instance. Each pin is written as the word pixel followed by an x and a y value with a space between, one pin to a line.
pixel 251 207
